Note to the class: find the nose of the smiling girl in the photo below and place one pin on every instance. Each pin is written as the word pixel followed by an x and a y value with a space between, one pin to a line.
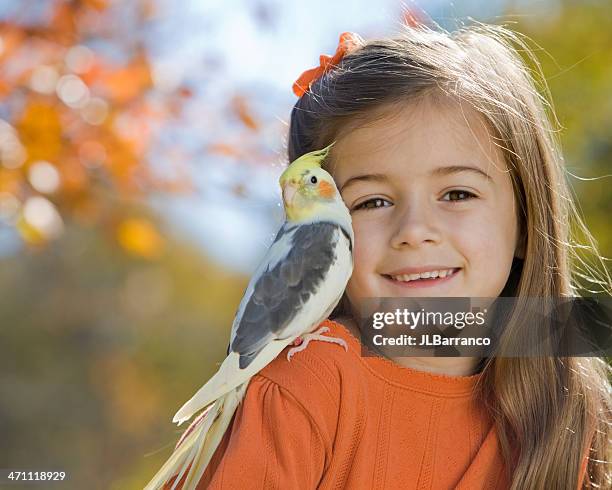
pixel 414 227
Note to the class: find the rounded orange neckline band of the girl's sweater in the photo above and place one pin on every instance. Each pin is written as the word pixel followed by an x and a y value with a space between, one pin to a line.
pixel 422 381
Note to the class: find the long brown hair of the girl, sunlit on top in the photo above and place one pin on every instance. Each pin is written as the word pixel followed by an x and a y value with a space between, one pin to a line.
pixel 549 411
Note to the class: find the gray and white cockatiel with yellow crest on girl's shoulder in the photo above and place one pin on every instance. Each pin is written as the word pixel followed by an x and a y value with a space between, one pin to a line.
pixel 299 282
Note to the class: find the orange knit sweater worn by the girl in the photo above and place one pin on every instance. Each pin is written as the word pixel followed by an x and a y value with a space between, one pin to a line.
pixel 332 419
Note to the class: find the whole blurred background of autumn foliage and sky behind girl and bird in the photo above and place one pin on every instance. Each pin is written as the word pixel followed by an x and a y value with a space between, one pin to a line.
pixel 140 145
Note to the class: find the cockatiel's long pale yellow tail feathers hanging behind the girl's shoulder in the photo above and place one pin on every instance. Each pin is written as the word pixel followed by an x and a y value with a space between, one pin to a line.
pixel 197 448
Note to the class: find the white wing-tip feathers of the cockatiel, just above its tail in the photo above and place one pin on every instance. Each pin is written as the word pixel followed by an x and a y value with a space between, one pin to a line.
pixel 228 377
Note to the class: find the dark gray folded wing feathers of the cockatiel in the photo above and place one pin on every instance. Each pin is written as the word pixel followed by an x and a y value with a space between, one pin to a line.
pixel 282 289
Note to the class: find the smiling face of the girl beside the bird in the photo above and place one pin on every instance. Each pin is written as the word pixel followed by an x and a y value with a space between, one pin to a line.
pixel 428 191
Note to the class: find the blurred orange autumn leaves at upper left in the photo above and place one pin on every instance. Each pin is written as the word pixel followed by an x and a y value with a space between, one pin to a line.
pixel 77 124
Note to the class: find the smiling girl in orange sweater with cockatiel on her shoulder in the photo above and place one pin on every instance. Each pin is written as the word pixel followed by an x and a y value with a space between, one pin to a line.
pixel 449 166
